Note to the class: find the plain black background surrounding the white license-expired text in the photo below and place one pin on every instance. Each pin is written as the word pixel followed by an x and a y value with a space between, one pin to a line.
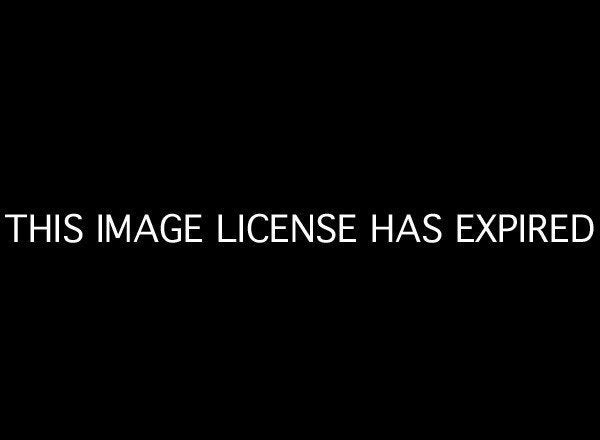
pixel 368 113
